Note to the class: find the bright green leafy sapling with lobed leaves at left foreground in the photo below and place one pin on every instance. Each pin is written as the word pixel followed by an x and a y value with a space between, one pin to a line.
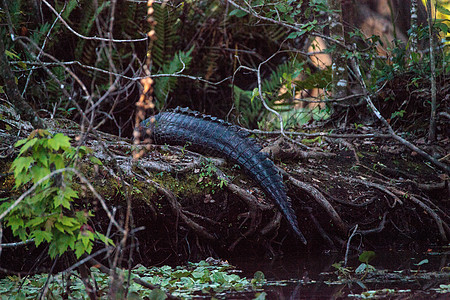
pixel 46 212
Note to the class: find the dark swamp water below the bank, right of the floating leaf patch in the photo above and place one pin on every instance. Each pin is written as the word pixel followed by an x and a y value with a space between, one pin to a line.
pixel 390 275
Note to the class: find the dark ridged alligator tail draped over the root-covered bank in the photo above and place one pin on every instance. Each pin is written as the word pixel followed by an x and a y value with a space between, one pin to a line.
pixel 212 136
